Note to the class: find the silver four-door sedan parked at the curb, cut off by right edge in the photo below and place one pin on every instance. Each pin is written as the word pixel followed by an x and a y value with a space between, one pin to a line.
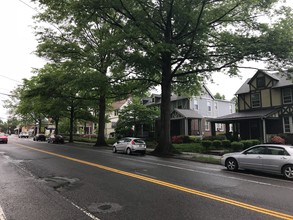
pixel 270 158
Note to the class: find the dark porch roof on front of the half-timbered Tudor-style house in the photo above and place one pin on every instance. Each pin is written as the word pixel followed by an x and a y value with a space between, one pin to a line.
pixel 256 114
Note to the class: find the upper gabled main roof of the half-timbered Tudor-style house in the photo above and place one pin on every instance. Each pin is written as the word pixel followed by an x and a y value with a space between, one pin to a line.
pixel 282 80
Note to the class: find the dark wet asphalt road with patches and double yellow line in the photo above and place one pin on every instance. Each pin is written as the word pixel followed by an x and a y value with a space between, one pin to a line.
pixel 48 181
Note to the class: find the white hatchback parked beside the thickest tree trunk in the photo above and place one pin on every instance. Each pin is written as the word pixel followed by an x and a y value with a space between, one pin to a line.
pixel 130 145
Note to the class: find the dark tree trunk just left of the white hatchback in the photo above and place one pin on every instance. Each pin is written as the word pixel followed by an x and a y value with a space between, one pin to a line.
pixel 101 126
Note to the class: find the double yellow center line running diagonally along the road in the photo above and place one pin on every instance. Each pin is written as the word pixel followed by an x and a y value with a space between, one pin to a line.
pixel 173 186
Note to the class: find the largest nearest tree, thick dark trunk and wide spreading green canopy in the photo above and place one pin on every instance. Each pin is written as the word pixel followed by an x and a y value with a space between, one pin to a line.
pixel 173 44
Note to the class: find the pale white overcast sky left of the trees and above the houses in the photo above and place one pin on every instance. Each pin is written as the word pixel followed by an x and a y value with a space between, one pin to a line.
pixel 17 43
